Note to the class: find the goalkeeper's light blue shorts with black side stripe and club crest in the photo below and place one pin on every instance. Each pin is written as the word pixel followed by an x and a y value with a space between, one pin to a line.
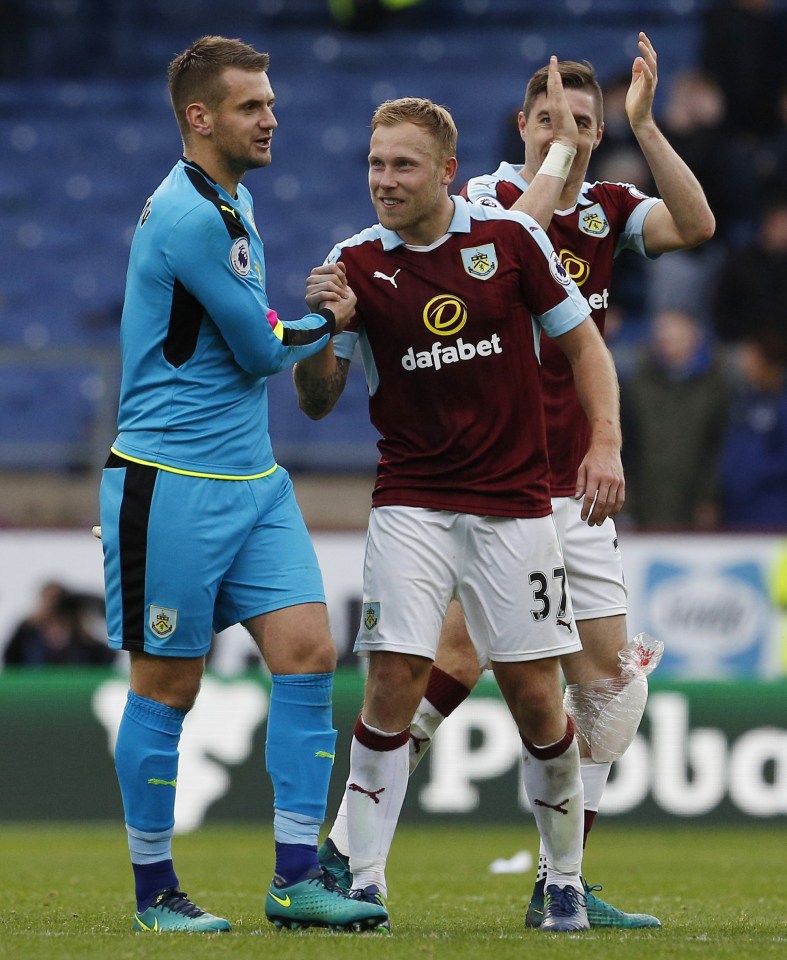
pixel 185 555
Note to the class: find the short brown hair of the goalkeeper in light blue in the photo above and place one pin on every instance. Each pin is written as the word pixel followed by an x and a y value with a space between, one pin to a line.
pixel 196 74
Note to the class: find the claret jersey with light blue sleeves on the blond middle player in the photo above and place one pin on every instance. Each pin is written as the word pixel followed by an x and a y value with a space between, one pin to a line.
pixel 449 336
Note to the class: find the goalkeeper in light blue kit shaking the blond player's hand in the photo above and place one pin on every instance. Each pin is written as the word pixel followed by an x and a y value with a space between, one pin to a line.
pixel 200 526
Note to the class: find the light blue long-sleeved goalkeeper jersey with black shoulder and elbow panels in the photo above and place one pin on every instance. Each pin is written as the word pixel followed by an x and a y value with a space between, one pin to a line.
pixel 198 336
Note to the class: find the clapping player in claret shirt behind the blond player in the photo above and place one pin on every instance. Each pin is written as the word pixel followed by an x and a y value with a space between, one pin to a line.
pixel 589 224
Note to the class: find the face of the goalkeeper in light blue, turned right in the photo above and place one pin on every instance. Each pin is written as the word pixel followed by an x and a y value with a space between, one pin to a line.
pixel 243 123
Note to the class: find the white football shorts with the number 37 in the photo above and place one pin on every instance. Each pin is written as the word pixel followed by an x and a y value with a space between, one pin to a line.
pixel 507 573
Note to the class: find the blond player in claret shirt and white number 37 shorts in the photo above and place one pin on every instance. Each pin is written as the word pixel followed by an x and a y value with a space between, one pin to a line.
pixel 451 301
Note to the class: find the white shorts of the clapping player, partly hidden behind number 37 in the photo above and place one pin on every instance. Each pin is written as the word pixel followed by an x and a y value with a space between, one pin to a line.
pixel 593 562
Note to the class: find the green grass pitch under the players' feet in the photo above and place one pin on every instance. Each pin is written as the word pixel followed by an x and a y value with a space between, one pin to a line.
pixel 720 893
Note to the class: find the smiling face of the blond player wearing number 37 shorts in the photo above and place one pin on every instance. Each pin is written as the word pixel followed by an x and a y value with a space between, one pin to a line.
pixel 408 182
